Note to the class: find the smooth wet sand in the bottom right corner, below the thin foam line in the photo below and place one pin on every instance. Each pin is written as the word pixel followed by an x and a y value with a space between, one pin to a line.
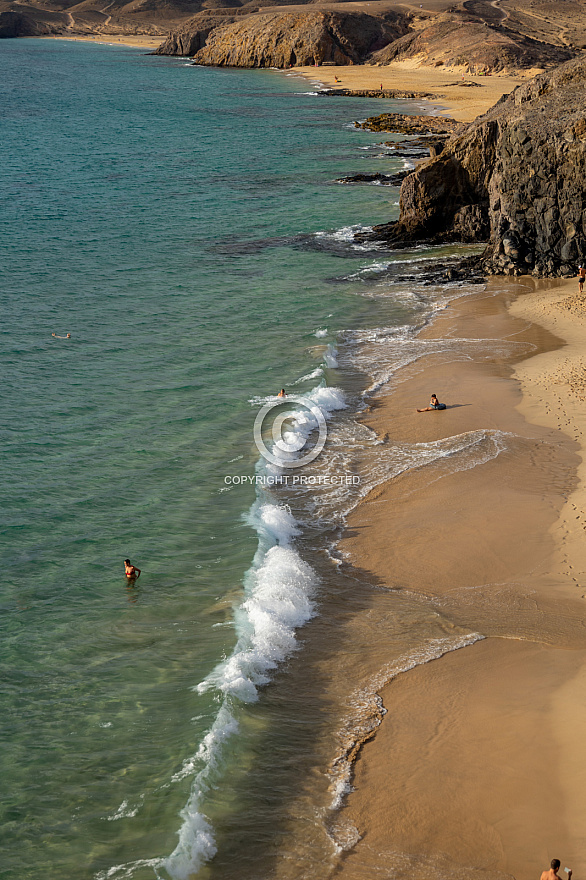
pixel 477 779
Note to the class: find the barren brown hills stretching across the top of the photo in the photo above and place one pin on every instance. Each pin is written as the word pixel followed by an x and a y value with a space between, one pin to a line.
pixel 480 36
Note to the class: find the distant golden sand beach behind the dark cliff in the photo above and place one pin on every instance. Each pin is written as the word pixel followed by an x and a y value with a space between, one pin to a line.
pixel 462 102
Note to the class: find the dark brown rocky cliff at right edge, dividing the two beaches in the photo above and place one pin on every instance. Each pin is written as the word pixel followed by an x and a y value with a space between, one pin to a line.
pixel 516 177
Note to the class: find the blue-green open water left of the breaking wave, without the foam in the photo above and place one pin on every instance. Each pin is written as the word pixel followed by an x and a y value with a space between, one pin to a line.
pixel 181 223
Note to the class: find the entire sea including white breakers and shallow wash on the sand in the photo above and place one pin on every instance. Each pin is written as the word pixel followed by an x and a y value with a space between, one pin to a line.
pixel 184 225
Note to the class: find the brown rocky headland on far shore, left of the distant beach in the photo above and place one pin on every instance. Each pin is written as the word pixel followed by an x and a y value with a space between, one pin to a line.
pixel 286 39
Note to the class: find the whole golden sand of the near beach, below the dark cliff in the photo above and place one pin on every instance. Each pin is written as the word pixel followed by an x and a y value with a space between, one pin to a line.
pixel 477 769
